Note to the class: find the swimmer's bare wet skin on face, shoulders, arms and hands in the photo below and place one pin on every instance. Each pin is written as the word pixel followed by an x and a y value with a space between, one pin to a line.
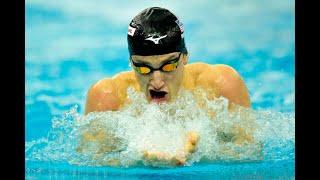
pixel 161 87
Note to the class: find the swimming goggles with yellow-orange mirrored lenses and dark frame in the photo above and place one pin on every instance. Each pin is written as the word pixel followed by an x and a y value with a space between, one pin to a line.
pixel 166 67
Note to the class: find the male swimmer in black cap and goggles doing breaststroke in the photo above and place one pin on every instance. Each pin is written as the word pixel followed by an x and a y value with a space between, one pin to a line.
pixel 159 57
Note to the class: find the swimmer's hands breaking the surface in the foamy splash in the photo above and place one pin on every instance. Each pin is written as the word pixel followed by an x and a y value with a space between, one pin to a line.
pixel 179 159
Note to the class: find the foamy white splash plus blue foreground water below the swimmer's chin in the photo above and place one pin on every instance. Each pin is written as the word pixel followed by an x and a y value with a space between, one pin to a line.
pixel 141 126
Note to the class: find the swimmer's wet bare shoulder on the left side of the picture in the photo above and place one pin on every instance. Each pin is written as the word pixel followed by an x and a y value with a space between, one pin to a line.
pixel 109 93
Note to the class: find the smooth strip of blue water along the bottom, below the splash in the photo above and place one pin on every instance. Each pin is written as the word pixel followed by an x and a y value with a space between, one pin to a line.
pixel 253 170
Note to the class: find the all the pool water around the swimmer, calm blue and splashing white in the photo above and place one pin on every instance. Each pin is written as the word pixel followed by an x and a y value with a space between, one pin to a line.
pixel 69 48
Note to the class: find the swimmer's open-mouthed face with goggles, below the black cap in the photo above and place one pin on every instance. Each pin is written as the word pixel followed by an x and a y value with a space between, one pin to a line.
pixel 160 85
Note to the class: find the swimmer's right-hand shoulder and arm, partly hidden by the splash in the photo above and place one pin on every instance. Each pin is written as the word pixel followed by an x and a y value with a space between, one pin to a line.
pixel 227 82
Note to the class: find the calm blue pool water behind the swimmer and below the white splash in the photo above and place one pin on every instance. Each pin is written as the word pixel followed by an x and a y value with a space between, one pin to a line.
pixel 69 46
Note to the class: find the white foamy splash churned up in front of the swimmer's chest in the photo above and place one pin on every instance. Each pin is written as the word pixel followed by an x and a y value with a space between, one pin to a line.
pixel 142 126
